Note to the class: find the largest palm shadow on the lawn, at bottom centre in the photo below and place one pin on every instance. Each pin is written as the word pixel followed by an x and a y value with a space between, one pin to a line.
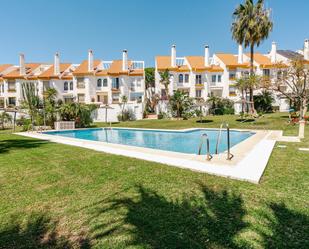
pixel 211 220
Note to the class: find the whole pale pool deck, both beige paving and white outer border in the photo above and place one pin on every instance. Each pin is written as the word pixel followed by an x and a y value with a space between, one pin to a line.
pixel 248 164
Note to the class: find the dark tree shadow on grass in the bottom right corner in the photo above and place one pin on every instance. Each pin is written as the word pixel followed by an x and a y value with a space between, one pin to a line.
pixel 289 229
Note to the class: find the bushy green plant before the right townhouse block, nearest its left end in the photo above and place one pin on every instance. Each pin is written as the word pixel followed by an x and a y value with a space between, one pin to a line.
pixel 180 103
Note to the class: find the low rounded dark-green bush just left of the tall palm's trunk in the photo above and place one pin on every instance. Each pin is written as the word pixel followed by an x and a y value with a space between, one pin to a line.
pixel 220 106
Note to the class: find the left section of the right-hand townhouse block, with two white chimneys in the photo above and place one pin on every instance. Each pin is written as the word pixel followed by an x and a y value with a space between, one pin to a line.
pixel 196 75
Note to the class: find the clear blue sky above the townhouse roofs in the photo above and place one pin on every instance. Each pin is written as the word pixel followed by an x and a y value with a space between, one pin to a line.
pixel 146 28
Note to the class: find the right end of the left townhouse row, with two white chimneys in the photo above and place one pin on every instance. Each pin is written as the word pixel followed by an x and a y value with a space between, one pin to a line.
pixel 105 82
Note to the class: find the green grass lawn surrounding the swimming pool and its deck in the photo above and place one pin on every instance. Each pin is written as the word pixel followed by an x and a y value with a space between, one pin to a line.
pixel 58 196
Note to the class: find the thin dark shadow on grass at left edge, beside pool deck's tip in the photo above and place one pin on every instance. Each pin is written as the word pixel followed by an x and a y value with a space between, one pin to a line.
pixel 9 144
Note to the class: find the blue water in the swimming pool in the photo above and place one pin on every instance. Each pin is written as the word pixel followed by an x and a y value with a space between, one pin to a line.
pixel 178 141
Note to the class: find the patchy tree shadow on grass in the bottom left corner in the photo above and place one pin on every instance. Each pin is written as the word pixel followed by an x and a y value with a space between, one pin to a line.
pixel 39 231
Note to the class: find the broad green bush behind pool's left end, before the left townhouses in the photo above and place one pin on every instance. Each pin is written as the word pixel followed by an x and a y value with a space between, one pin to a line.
pixel 80 113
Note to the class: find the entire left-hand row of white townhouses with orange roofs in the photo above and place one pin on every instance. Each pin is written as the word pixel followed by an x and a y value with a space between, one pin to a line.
pixel 93 81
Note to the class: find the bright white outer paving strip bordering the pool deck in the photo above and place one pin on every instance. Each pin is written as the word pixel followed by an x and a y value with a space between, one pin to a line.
pixel 250 168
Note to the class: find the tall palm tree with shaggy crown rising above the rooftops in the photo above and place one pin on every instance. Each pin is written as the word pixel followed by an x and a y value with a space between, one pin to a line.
pixel 250 27
